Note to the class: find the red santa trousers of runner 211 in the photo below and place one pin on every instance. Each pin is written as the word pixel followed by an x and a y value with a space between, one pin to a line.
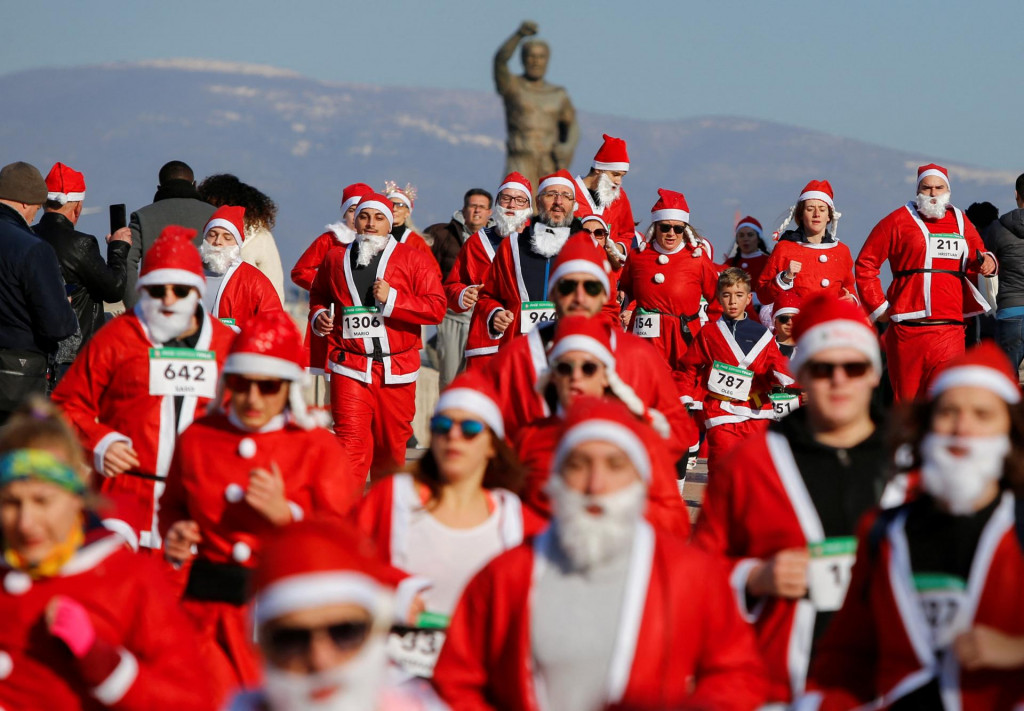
pixel 915 353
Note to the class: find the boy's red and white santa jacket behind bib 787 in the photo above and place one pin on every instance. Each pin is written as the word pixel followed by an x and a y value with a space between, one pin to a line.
pixel 716 343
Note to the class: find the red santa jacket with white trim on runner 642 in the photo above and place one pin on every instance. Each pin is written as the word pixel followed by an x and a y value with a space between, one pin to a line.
pixel 106 397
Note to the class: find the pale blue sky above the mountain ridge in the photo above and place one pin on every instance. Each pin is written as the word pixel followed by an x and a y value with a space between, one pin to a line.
pixel 937 78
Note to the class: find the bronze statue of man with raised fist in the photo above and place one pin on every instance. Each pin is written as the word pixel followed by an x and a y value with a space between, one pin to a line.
pixel 541 121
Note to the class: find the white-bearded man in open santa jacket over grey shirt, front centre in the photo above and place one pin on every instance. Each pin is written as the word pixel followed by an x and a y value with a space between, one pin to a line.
pixel 602 610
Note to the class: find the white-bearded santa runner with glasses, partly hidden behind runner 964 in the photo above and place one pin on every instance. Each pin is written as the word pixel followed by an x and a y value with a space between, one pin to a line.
pixel 514 208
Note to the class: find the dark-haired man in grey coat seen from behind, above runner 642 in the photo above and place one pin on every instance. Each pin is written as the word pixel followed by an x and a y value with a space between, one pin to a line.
pixel 177 202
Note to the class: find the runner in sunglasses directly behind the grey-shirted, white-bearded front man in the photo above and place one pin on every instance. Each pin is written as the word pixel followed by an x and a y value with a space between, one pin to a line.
pixel 582 362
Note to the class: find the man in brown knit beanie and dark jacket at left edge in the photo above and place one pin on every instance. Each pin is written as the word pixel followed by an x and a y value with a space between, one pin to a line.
pixel 34 311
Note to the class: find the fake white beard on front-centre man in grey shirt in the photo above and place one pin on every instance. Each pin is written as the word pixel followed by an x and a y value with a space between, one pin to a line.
pixel 587 539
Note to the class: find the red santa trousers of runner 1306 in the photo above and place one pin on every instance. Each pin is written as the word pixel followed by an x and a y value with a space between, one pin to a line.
pixel 374 422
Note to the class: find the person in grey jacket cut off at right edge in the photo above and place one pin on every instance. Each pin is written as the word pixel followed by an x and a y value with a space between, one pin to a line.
pixel 1005 238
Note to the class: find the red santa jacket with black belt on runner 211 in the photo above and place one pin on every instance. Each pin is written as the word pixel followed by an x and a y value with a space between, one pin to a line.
pixel 904 237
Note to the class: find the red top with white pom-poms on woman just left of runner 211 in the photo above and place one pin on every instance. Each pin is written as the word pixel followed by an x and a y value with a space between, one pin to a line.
pixel 825 267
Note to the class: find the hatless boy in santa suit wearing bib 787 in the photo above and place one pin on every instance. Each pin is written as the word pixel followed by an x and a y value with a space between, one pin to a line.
pixel 735 366
